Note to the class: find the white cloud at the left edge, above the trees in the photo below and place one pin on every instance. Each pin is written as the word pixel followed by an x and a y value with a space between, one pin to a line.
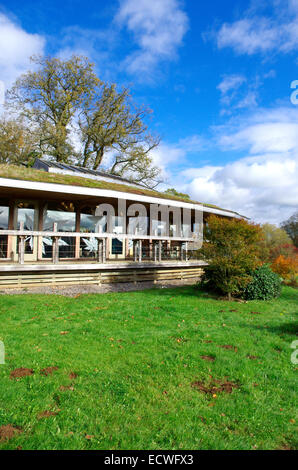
pixel 16 47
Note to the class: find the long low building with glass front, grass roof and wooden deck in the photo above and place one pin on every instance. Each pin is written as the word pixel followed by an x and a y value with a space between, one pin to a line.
pixel 61 224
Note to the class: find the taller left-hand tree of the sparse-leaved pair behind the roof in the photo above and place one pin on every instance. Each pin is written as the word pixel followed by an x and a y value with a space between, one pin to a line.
pixel 50 98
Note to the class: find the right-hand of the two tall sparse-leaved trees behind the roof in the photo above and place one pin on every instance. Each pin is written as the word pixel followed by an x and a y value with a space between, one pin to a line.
pixel 114 124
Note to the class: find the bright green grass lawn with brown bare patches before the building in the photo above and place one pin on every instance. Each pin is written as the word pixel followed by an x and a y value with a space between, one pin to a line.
pixel 130 372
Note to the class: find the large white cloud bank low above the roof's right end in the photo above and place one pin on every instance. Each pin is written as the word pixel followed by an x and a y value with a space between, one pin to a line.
pixel 262 185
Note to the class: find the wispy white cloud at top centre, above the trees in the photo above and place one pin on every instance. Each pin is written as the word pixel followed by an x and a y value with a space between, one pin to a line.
pixel 158 28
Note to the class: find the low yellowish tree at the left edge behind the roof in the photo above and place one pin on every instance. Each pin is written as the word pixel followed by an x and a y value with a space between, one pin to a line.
pixel 17 143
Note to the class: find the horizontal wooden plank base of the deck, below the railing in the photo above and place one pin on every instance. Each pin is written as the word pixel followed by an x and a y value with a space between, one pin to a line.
pixel 37 274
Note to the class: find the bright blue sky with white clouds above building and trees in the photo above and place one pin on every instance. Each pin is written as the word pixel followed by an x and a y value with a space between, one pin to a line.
pixel 216 74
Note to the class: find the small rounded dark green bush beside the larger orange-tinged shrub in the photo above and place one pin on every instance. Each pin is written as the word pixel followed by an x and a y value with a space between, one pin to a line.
pixel 265 284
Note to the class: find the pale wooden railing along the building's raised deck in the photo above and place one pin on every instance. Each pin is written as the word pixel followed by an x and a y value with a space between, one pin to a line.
pixel 57 246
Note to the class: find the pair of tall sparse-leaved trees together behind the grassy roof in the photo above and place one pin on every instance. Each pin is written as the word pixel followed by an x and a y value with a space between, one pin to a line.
pixel 84 121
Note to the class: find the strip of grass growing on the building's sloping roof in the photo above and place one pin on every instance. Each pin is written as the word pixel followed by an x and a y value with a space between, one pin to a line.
pixel 30 174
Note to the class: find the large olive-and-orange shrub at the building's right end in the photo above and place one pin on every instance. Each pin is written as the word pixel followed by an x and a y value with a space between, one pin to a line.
pixel 232 250
